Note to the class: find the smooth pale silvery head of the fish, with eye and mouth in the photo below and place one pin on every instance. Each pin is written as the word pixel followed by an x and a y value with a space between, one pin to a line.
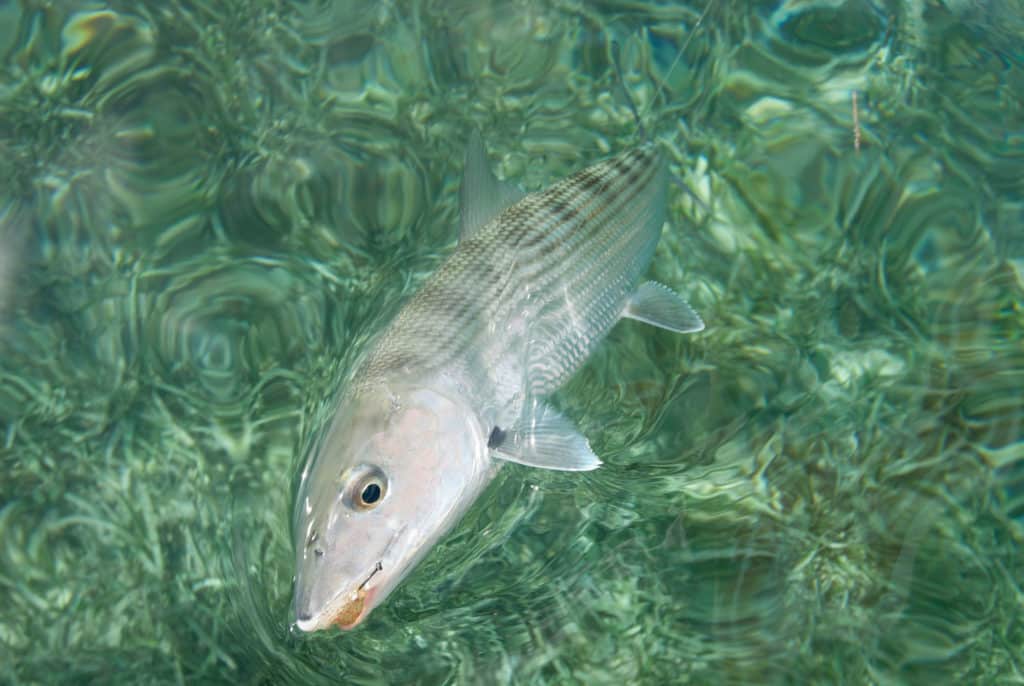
pixel 396 470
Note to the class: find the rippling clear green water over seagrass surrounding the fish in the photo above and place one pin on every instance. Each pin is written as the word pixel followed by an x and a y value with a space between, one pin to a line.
pixel 207 204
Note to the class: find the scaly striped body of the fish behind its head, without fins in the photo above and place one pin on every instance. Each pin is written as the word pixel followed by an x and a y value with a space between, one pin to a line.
pixel 524 302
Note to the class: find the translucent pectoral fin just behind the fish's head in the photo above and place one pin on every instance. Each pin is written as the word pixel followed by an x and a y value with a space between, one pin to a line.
pixel 547 442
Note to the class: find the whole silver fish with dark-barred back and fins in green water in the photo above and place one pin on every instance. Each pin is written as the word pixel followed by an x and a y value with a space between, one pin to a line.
pixel 455 385
